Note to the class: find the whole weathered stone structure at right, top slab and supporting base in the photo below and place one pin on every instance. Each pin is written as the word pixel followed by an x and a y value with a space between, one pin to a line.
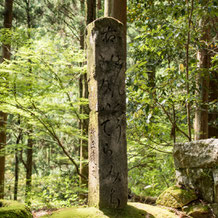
pixel 197 167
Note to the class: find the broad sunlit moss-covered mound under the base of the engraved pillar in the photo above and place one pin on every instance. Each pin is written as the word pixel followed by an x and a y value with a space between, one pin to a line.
pixel 132 210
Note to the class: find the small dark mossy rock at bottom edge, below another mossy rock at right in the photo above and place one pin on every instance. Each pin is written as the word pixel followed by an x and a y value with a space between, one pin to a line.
pixel 198 211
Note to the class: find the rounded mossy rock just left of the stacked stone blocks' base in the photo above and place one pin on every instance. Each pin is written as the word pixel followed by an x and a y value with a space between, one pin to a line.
pixel 176 197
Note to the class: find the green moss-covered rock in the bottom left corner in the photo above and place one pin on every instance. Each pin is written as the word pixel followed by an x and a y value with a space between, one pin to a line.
pixel 13 209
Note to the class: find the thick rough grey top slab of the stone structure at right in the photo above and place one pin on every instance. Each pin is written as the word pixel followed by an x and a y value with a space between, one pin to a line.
pixel 196 154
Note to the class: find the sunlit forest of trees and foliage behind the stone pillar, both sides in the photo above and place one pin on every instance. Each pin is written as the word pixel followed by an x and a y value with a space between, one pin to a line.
pixel 171 85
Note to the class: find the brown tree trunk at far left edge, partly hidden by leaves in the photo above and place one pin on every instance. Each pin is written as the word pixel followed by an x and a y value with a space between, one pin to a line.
pixel 3 116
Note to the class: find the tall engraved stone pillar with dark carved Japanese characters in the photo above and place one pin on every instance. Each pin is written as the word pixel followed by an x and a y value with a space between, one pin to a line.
pixel 107 125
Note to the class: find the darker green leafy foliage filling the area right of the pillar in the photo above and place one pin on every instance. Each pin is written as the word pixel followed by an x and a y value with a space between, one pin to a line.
pixel 156 85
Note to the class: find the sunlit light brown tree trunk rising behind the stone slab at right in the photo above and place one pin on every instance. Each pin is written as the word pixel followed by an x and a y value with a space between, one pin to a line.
pixel 202 86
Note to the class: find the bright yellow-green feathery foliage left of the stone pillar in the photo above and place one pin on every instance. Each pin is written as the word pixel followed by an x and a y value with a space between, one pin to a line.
pixel 42 87
